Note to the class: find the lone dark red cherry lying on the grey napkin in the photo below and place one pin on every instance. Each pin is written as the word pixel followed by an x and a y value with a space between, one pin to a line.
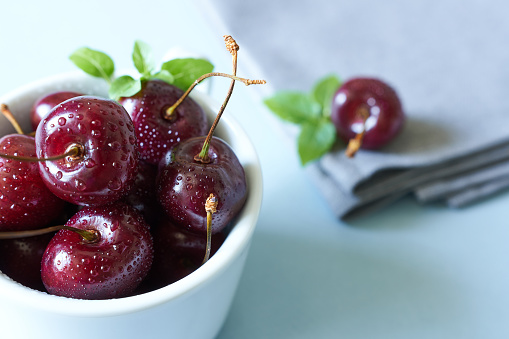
pixel 386 116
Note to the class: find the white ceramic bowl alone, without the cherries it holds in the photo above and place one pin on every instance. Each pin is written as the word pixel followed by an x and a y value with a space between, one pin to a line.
pixel 194 307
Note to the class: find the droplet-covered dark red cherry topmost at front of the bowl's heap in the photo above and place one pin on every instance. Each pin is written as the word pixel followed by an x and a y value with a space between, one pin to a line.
pixel 109 163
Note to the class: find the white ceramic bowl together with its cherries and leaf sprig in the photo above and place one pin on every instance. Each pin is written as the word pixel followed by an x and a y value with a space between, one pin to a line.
pixel 123 217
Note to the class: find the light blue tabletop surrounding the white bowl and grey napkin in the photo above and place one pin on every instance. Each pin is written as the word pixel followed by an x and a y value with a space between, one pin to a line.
pixel 408 271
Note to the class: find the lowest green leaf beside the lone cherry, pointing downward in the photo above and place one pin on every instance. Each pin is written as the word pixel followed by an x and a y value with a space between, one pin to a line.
pixel 315 139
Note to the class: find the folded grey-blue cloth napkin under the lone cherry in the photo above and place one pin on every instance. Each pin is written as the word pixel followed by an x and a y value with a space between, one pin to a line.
pixel 445 58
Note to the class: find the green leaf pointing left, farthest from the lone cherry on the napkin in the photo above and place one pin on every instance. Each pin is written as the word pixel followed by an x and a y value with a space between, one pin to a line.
pixel 294 107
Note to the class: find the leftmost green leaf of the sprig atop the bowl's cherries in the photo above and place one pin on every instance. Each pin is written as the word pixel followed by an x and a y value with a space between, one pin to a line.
pixel 93 62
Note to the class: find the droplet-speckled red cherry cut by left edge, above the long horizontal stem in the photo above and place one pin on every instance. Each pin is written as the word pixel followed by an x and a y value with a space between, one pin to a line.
pixel 25 201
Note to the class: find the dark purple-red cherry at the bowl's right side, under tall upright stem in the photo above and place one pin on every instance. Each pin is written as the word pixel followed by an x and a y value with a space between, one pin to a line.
pixel 184 184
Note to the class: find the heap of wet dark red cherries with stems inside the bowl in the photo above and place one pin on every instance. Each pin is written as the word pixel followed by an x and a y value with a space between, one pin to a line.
pixel 135 193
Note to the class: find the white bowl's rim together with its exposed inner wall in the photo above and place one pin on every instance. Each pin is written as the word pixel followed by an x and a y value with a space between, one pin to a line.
pixel 20 102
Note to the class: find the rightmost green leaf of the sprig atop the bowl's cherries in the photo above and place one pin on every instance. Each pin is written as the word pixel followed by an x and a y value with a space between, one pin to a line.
pixel 187 70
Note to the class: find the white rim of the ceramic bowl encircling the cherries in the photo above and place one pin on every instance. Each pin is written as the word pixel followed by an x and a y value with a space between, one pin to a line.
pixel 237 241
